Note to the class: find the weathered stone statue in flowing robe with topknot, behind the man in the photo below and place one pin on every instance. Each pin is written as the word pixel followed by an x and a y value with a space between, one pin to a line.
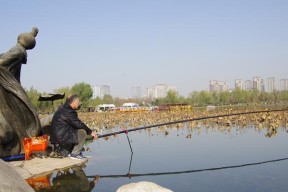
pixel 18 117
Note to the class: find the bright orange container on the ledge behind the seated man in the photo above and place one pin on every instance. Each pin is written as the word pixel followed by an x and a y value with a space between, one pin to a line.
pixel 34 144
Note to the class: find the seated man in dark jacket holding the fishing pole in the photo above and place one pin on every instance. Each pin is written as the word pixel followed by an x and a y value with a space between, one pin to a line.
pixel 68 130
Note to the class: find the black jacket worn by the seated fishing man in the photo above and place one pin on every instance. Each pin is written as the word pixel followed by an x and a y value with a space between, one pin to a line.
pixel 64 126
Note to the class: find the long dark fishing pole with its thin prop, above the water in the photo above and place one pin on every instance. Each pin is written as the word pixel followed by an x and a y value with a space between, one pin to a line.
pixel 185 120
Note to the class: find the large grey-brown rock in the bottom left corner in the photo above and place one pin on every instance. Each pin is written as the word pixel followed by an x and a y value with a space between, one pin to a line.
pixel 11 180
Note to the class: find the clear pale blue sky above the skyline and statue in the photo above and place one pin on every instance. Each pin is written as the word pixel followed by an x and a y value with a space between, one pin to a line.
pixel 126 43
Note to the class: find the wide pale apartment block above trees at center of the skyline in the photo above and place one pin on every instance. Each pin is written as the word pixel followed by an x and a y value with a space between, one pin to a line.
pixel 159 91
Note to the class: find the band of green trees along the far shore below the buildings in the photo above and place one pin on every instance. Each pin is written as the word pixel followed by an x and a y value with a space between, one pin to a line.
pixel 195 98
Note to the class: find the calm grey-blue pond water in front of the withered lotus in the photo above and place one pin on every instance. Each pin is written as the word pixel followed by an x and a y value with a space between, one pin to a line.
pixel 186 164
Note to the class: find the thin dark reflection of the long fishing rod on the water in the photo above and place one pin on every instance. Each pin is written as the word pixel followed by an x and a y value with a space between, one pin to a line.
pixel 189 171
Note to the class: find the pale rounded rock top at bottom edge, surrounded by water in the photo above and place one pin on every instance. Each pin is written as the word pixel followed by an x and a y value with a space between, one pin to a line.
pixel 142 186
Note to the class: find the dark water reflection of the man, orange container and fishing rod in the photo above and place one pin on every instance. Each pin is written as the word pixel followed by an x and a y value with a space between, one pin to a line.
pixel 75 179
